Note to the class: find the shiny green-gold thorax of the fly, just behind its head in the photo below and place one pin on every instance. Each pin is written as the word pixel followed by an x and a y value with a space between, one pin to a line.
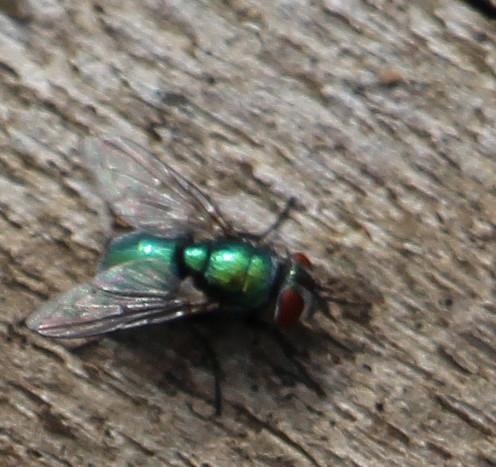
pixel 236 272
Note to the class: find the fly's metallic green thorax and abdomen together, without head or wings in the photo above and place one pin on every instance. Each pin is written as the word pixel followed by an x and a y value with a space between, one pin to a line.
pixel 234 272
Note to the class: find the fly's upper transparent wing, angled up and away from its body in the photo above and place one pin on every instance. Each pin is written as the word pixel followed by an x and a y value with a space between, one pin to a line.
pixel 148 193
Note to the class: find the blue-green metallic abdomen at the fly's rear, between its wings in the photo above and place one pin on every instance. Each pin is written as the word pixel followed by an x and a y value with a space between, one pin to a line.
pixel 140 245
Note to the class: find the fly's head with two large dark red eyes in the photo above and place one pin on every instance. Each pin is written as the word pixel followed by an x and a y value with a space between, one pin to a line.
pixel 298 296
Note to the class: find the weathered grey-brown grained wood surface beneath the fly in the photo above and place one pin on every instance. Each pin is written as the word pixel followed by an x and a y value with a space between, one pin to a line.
pixel 380 116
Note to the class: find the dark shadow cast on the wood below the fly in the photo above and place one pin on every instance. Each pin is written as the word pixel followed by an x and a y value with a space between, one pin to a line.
pixel 211 358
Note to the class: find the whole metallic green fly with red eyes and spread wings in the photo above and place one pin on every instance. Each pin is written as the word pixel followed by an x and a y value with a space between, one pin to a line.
pixel 184 258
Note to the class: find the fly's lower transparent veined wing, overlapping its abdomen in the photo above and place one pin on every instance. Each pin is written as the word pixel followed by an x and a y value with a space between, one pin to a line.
pixel 133 294
